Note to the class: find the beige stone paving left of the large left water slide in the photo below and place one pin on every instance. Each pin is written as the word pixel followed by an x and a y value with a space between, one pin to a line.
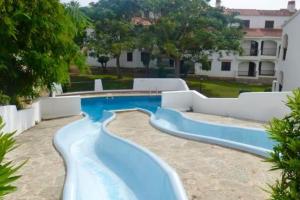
pixel 44 173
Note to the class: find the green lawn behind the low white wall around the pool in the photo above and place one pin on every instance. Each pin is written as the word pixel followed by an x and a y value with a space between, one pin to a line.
pixel 210 88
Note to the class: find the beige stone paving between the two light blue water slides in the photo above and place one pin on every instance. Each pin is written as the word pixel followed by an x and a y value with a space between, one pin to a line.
pixel 207 171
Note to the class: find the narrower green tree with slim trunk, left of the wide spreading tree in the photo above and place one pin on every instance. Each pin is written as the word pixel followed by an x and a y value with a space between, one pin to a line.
pixel 114 30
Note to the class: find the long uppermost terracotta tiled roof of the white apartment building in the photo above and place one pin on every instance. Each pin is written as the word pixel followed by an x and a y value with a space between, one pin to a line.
pixel 254 12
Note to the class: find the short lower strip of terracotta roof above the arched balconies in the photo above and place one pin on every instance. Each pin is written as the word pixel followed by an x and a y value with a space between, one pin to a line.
pixel 261 32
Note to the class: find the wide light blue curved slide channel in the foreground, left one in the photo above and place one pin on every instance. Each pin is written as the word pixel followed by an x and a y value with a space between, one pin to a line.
pixel 103 166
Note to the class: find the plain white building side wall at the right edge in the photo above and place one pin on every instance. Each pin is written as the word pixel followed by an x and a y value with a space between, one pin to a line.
pixel 288 74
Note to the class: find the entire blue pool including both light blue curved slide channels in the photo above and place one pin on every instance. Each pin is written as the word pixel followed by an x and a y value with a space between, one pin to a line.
pixel 101 165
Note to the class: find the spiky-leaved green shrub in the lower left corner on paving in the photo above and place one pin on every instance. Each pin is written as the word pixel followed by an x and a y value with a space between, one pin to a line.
pixel 7 168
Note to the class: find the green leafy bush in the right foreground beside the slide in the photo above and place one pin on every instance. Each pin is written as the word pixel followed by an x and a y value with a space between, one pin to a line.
pixel 286 155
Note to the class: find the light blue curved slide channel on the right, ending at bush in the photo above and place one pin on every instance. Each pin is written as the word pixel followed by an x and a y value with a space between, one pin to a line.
pixel 252 140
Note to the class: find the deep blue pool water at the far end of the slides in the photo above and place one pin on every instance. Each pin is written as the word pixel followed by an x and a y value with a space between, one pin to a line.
pixel 94 107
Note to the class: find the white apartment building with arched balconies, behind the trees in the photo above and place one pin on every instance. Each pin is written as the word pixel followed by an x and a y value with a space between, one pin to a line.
pixel 261 46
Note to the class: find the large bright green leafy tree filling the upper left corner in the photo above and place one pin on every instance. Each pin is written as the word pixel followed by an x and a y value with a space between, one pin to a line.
pixel 37 46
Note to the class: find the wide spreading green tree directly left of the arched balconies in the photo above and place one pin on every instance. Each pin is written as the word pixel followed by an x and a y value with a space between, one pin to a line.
pixel 189 30
